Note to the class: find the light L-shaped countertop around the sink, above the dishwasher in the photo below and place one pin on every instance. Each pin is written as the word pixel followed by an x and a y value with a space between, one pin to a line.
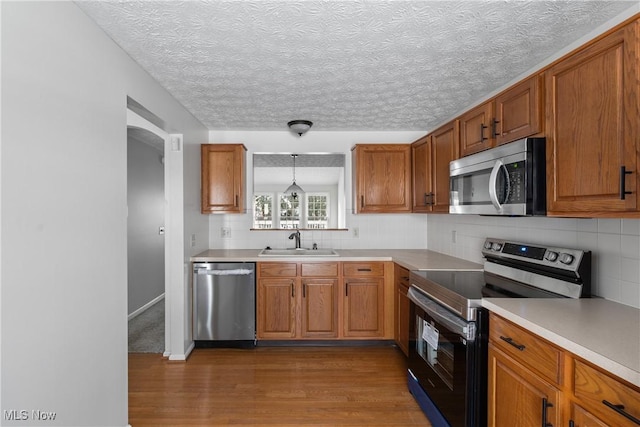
pixel 411 259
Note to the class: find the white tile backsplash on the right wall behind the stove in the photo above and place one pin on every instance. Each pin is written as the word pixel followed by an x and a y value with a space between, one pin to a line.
pixel 615 245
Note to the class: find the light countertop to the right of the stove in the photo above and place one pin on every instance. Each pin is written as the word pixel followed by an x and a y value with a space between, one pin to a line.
pixel 600 331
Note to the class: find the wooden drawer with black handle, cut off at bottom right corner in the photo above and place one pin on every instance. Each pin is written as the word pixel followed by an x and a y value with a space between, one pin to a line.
pixel 594 388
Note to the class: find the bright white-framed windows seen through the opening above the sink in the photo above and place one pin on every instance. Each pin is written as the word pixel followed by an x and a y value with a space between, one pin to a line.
pixel 310 210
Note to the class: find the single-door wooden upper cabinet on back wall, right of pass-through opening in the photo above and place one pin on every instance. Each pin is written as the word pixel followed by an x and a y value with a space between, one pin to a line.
pixel 382 178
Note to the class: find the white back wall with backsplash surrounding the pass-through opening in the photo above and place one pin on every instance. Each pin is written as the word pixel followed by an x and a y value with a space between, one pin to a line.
pixel 375 230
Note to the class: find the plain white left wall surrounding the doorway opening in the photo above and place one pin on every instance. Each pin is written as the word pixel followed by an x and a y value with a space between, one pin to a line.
pixel 64 221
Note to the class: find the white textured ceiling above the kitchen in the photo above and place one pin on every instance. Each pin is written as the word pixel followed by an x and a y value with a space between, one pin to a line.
pixel 345 65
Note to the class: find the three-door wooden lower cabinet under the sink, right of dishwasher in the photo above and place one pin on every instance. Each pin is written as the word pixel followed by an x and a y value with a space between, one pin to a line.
pixel 323 300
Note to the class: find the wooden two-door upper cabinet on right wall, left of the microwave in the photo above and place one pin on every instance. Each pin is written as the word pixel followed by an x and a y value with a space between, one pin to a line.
pixel 431 156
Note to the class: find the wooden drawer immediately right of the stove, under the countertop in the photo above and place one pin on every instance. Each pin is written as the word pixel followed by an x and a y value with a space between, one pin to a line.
pixel 529 349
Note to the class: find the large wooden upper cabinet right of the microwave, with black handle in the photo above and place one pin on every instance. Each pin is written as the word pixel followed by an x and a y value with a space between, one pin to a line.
pixel 592 128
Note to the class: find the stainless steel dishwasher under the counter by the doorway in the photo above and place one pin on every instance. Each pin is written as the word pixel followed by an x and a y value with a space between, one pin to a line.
pixel 224 304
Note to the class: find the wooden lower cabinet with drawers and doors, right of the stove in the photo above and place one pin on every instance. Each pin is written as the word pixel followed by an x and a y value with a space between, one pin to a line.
pixel 524 369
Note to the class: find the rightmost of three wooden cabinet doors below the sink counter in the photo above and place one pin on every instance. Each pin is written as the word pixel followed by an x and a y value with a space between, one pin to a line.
pixel 363 307
